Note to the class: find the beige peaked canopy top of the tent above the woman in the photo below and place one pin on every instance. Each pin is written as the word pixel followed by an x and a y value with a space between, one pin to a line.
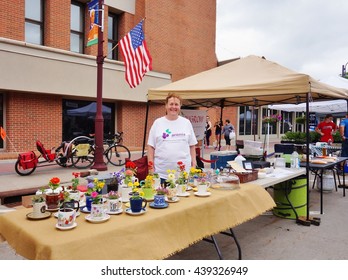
pixel 249 81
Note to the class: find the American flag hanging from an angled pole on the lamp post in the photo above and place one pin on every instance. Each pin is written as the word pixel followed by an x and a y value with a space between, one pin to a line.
pixel 137 58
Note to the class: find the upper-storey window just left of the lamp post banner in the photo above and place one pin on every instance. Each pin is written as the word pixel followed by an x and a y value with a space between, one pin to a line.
pixel 77 20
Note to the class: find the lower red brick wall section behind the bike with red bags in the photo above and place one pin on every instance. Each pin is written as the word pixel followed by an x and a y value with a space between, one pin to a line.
pixel 32 117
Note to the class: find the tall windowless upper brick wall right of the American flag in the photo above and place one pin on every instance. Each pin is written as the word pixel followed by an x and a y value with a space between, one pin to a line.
pixel 173 31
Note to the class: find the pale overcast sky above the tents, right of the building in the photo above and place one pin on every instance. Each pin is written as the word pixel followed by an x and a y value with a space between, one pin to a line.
pixel 307 36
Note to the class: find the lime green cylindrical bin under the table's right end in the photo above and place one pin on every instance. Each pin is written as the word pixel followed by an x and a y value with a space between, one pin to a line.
pixel 295 191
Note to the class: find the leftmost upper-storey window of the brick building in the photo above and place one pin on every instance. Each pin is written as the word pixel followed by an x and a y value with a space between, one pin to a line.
pixel 34 21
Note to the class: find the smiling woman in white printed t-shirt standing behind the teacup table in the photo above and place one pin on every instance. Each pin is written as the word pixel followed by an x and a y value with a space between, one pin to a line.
pixel 171 139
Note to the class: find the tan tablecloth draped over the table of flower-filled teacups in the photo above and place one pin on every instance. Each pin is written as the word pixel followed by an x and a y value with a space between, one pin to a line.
pixel 156 234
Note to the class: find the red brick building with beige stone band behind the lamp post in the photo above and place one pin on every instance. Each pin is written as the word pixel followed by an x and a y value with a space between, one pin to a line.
pixel 46 68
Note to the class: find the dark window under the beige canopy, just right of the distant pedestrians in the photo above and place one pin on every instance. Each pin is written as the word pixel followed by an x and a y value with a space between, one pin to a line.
pixel 248 120
